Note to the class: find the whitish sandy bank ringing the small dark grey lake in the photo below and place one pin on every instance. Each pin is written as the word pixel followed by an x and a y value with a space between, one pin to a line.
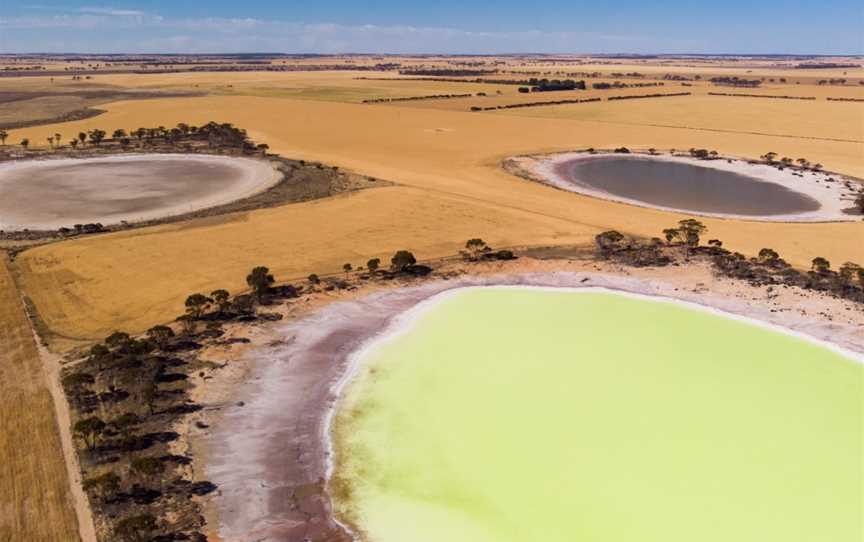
pixel 833 197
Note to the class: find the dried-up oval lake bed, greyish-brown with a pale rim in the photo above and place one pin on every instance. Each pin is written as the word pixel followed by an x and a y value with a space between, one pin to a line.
pixel 49 194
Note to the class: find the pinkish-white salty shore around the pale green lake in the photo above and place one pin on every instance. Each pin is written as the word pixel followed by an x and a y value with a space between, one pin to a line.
pixel 289 380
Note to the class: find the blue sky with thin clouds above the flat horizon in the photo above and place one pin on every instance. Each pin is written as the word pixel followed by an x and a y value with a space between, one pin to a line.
pixel 443 26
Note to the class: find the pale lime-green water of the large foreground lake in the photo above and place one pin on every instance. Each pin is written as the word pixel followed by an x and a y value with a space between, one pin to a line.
pixel 526 415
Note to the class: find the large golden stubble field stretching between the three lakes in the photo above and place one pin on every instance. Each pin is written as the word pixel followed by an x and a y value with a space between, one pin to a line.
pixel 450 188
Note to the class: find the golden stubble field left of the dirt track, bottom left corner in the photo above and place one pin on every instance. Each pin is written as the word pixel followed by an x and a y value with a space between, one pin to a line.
pixel 35 502
